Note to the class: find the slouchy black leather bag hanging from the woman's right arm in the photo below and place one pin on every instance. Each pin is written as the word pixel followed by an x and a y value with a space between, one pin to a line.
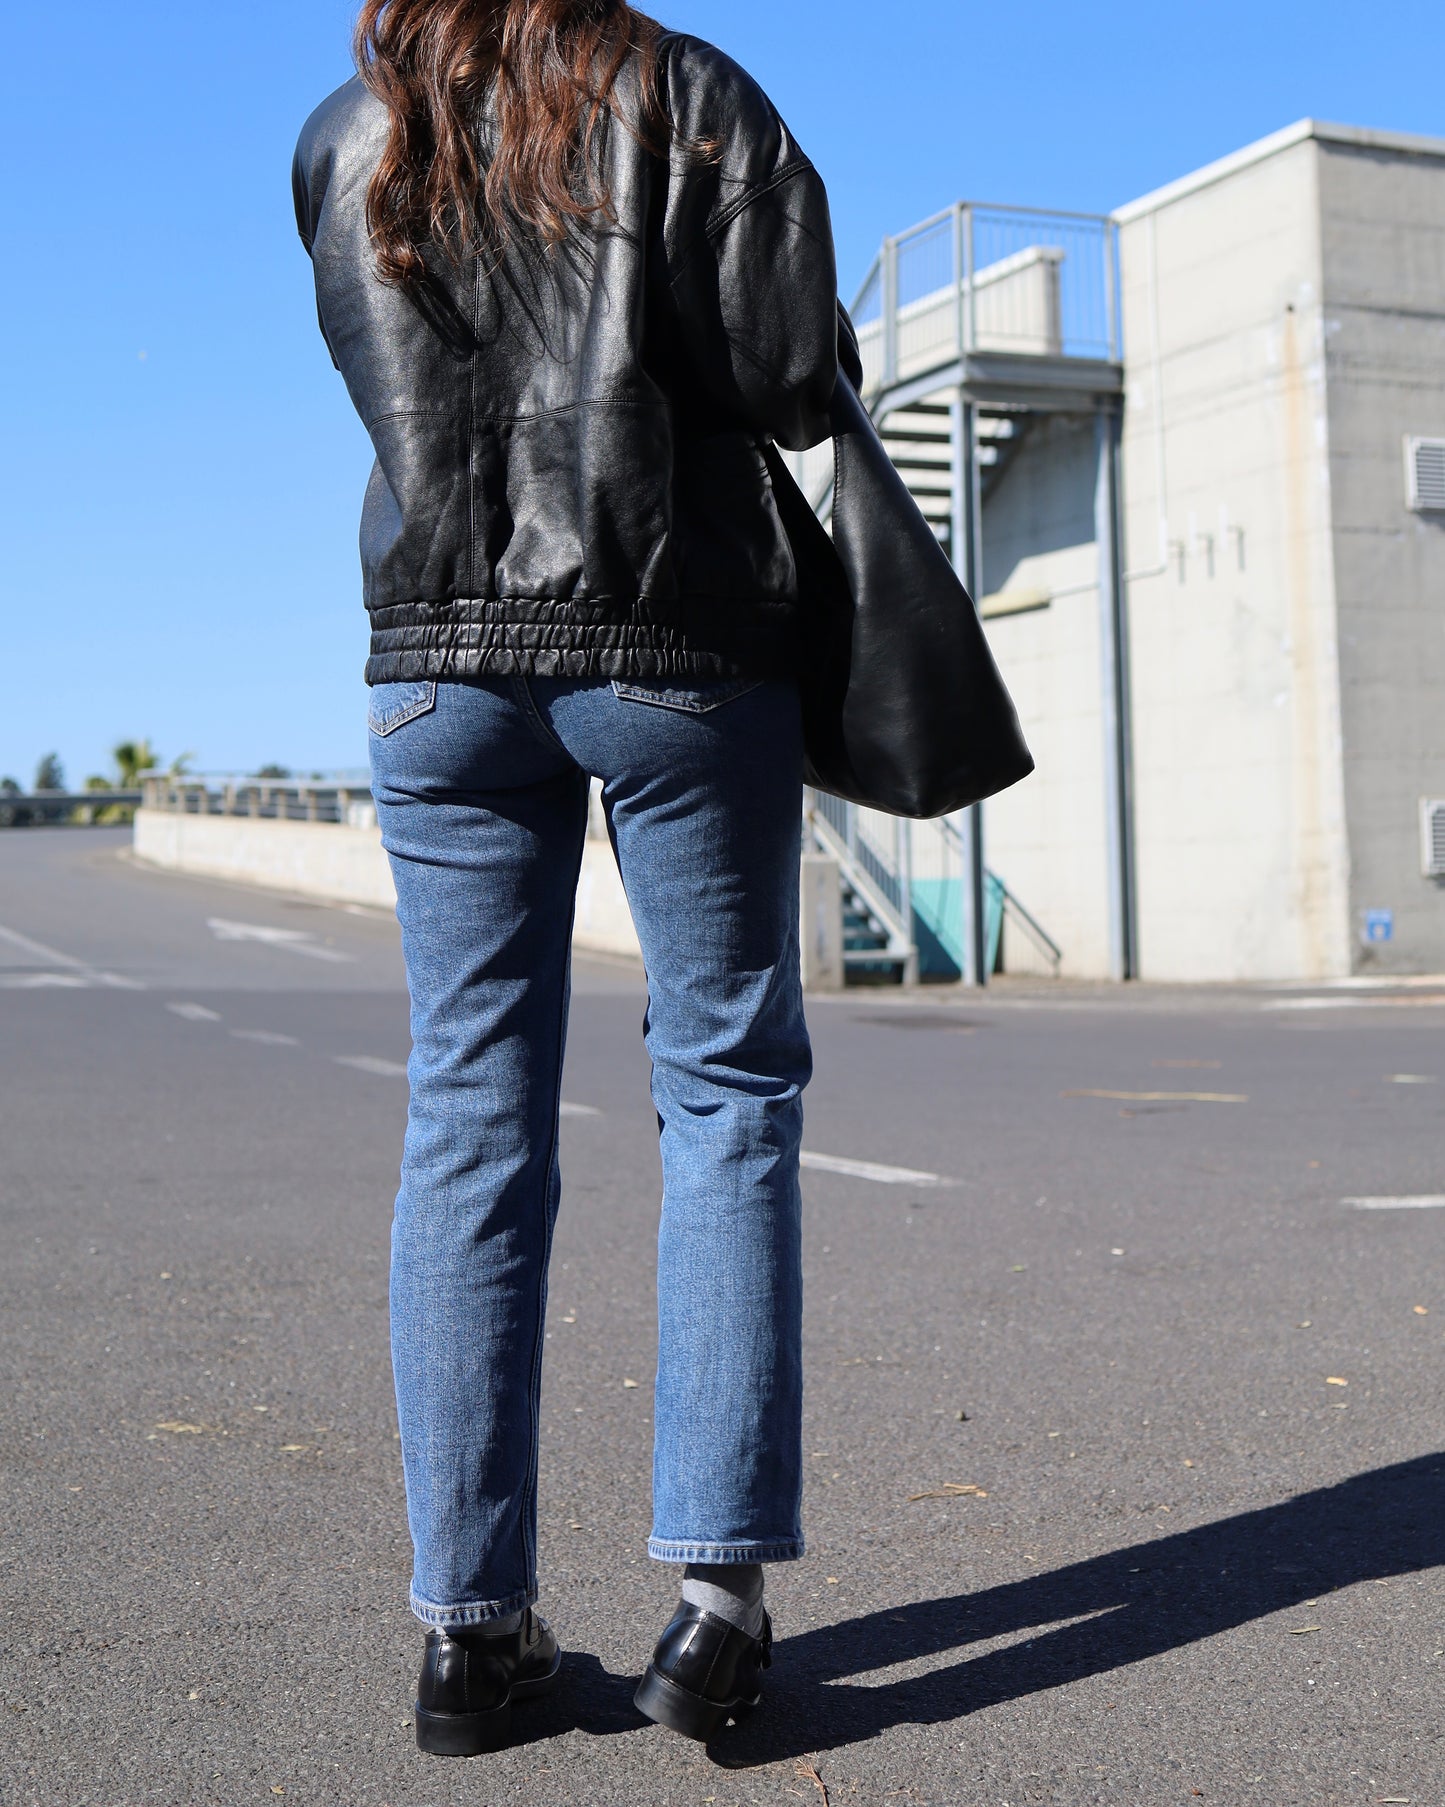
pixel 904 707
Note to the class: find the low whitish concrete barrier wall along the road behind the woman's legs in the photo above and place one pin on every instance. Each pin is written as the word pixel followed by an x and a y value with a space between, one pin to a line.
pixel 348 866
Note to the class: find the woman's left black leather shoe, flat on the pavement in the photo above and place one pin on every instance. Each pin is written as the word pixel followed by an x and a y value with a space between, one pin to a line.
pixel 469 1681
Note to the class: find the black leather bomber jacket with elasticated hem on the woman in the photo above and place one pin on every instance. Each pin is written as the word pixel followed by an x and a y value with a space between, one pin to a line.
pixel 570 474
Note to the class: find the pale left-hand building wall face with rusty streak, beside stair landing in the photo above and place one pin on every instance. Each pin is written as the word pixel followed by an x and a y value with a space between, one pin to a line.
pixel 1238 763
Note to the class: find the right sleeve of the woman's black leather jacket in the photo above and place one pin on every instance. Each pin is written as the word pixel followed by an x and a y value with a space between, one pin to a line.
pixel 754 283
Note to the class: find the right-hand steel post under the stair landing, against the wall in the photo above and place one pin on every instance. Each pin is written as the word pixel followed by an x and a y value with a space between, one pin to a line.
pixel 1115 709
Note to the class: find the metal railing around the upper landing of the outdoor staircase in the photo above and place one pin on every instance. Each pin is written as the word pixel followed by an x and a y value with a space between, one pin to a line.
pixel 985 277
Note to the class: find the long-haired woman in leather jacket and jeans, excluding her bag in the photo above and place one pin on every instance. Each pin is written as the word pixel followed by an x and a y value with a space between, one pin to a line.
pixel 577 274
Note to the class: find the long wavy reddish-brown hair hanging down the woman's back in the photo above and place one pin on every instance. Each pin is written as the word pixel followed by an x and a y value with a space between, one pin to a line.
pixel 554 66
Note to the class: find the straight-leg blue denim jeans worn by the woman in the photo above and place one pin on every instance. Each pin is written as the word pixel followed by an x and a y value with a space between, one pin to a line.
pixel 481 791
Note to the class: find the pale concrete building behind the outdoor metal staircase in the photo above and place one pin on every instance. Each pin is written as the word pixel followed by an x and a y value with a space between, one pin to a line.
pixel 1276 659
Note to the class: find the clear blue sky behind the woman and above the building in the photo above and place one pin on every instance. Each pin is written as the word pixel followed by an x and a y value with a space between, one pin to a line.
pixel 182 469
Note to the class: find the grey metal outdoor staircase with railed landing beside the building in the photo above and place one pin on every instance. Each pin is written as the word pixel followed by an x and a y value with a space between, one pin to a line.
pixel 971 328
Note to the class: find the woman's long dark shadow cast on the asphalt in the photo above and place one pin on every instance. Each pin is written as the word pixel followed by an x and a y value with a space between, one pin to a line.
pixel 1130 1606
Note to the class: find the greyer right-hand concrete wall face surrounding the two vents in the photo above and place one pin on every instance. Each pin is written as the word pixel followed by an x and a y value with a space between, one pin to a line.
pixel 1384 306
